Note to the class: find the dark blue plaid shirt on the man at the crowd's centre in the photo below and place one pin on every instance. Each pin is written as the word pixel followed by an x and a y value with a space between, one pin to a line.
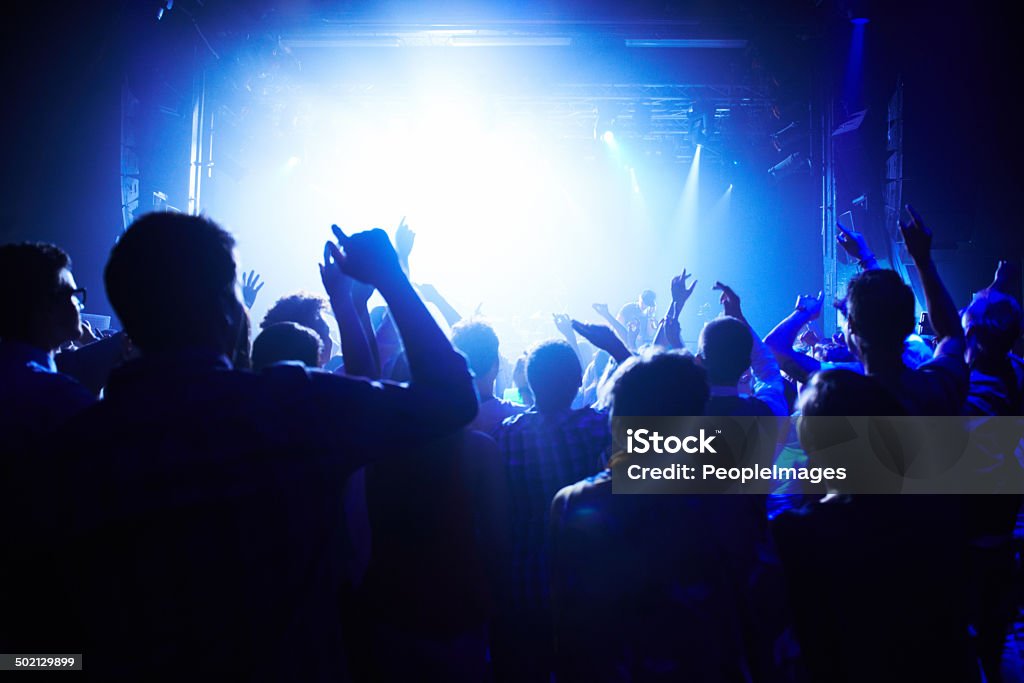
pixel 543 453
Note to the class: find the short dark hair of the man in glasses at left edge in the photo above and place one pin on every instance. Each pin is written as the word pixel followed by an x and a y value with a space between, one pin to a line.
pixel 28 275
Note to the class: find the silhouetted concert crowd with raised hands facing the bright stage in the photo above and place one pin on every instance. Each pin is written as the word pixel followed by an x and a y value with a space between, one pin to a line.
pixel 185 502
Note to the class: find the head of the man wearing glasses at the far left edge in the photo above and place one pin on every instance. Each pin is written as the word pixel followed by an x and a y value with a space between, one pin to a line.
pixel 41 301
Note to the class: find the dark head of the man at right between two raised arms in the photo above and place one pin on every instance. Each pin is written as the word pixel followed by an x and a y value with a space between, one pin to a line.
pixel 879 313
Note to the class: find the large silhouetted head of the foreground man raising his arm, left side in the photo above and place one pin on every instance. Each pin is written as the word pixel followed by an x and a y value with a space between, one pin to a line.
pixel 173 281
